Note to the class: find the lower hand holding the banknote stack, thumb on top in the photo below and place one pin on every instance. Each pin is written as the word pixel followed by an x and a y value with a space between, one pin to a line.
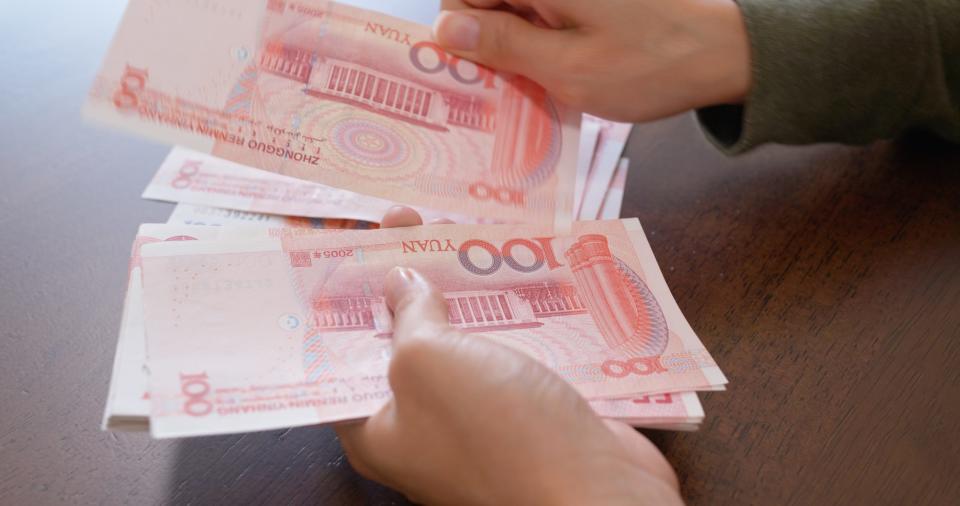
pixel 474 422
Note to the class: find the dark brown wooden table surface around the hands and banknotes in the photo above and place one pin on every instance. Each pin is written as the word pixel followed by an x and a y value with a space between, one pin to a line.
pixel 825 280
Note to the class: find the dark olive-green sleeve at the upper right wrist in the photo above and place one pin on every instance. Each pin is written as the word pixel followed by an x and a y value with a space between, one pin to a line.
pixel 849 71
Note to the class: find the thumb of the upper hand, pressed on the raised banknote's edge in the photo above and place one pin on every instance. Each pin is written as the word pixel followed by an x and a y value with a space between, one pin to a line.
pixel 498 39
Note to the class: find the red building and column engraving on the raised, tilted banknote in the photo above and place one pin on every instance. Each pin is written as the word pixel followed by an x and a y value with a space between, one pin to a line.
pixel 517 113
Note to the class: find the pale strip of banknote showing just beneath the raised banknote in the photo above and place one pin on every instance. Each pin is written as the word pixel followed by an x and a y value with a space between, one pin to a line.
pixel 191 177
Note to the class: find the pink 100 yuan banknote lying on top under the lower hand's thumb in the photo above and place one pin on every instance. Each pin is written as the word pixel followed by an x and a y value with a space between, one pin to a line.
pixel 294 331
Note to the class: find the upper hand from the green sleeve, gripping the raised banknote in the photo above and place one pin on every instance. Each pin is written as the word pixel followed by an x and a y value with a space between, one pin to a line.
pixel 625 60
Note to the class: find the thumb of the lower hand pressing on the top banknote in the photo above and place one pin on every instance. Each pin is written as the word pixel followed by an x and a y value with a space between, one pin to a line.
pixel 419 309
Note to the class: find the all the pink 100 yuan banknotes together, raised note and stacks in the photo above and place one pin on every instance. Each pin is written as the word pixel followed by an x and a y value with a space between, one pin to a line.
pixel 259 304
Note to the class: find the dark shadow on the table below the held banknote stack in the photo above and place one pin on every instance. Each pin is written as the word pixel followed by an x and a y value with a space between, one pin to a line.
pixel 297 466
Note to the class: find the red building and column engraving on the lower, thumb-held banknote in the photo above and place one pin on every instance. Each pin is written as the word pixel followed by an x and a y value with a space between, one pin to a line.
pixel 615 297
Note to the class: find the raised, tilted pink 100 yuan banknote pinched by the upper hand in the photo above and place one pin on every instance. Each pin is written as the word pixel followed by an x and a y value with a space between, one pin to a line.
pixel 344 97
